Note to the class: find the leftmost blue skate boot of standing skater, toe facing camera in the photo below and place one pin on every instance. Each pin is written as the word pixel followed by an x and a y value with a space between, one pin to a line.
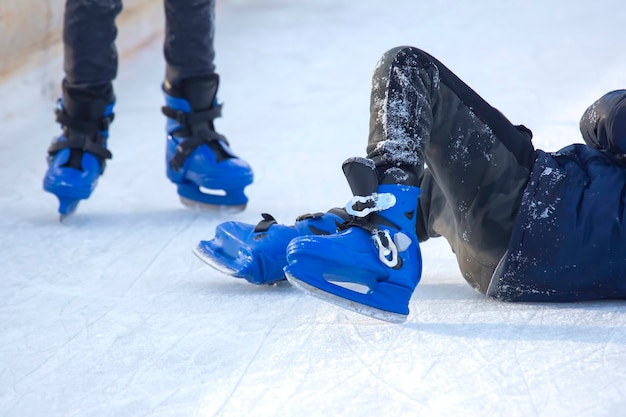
pixel 76 158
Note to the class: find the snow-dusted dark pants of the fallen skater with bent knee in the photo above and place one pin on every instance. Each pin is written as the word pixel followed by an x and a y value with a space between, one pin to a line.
pixel 472 164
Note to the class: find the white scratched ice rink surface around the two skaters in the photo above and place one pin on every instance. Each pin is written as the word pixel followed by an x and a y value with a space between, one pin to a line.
pixel 110 313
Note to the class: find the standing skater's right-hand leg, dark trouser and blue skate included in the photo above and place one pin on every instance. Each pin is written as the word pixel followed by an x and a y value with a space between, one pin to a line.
pixel 199 160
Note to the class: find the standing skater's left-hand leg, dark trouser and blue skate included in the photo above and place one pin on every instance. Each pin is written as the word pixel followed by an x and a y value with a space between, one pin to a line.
pixel 77 157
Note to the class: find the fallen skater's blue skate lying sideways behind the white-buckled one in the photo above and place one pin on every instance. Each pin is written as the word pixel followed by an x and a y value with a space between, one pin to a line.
pixel 257 253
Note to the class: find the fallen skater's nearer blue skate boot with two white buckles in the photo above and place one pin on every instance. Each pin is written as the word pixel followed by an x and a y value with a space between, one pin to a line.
pixel 373 266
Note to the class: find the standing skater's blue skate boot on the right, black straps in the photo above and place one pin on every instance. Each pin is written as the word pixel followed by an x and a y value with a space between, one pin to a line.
pixel 199 160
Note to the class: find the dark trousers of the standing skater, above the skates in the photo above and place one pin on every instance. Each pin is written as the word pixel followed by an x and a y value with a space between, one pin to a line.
pixel 89 34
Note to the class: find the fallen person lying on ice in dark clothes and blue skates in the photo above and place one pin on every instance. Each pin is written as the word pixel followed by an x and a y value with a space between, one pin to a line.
pixel 525 225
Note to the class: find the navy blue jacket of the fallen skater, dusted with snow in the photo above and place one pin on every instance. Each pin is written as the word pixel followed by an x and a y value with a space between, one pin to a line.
pixel 569 240
